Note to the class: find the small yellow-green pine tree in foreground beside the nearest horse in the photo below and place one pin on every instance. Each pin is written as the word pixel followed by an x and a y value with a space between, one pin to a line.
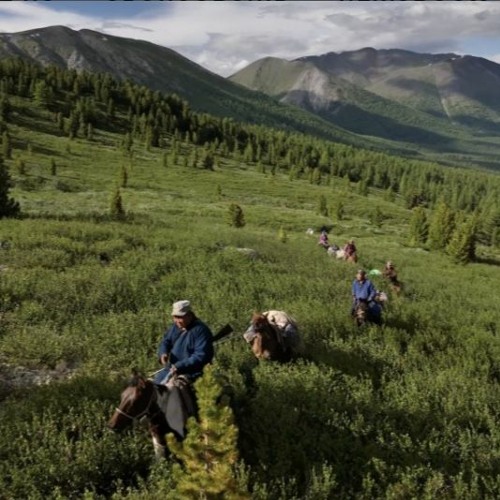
pixel 209 453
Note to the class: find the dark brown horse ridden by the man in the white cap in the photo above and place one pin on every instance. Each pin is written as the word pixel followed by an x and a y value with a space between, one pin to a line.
pixel 163 406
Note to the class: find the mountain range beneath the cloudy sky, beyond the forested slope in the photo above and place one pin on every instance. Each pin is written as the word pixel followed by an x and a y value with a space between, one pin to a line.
pixel 442 107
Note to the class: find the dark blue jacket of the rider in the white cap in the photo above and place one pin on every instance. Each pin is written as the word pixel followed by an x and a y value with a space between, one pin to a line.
pixel 189 350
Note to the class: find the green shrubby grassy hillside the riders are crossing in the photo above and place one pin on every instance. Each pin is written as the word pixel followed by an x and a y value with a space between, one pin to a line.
pixel 409 410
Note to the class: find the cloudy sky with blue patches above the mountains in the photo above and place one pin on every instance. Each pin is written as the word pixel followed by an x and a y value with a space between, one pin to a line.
pixel 226 36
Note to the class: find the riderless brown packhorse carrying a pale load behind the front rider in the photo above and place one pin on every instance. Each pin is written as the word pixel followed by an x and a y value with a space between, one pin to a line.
pixel 266 338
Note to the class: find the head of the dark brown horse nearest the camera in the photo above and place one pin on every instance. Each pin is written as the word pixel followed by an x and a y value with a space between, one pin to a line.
pixel 136 401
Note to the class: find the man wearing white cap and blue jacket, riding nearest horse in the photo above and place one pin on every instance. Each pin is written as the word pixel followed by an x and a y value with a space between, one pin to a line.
pixel 186 347
